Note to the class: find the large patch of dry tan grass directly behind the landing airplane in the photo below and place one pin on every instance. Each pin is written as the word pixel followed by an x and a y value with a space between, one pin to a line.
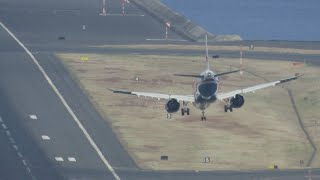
pixel 264 132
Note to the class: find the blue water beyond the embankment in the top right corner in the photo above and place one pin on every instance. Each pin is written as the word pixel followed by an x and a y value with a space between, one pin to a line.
pixel 255 19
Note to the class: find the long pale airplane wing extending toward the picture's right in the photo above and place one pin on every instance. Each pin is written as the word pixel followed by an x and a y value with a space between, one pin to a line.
pixel 226 95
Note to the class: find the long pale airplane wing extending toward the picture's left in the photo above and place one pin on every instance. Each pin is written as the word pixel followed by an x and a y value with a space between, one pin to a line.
pixel 186 98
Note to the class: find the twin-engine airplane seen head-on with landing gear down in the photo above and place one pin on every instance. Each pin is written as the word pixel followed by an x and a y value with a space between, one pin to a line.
pixel 205 92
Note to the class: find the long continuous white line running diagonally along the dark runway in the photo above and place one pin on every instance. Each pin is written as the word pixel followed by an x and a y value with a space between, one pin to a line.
pixel 85 132
